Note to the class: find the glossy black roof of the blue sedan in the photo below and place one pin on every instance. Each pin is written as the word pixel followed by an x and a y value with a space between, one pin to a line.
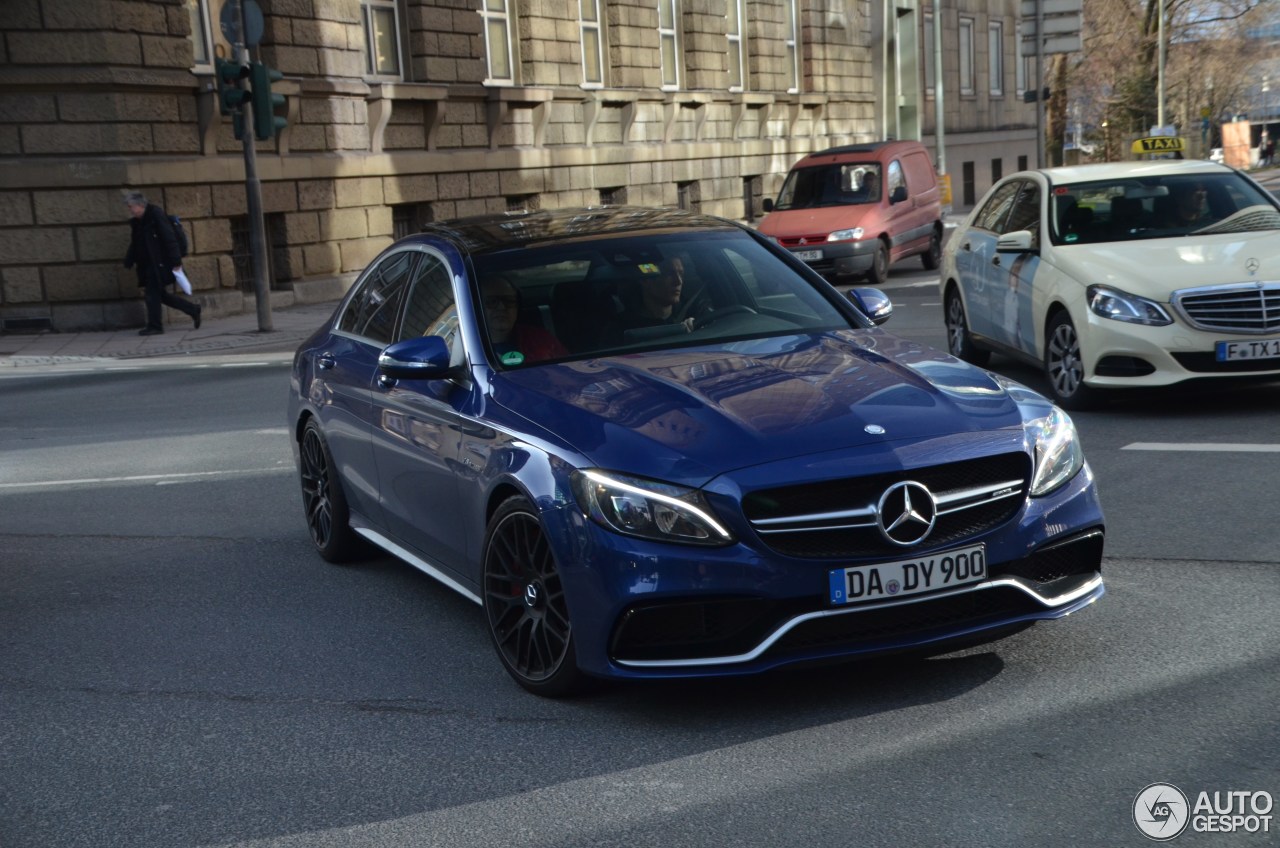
pixel 506 231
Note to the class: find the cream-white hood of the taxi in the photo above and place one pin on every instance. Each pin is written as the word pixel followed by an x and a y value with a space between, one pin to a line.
pixel 1158 267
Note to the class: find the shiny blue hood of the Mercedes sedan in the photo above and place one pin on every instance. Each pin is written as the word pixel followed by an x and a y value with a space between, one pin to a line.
pixel 692 414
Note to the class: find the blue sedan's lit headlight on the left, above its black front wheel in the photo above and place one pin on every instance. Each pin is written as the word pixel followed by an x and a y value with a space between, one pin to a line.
pixel 648 509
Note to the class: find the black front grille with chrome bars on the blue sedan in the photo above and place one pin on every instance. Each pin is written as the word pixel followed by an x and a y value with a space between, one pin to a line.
pixel 975 496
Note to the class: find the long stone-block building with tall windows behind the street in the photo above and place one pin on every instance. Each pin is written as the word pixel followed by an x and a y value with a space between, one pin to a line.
pixel 403 112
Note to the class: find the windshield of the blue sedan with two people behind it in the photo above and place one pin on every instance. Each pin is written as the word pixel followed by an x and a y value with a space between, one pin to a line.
pixel 591 298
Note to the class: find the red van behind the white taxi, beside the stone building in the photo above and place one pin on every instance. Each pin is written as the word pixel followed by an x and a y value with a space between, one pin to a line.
pixel 852 212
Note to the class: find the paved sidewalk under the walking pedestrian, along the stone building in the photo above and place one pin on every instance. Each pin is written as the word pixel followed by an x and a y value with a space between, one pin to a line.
pixel 223 335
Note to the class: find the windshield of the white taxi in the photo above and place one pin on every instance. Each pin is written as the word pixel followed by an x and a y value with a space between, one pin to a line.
pixel 1167 207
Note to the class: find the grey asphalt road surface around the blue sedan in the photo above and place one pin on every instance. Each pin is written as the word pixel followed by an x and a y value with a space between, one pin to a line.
pixel 179 669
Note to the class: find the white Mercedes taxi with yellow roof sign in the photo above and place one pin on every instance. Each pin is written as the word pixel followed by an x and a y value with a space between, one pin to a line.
pixel 1121 275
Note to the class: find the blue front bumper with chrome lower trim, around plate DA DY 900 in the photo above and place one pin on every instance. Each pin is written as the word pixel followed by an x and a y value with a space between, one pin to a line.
pixel 647 610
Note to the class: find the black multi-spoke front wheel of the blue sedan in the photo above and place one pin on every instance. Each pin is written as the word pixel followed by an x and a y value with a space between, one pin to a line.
pixel 524 601
